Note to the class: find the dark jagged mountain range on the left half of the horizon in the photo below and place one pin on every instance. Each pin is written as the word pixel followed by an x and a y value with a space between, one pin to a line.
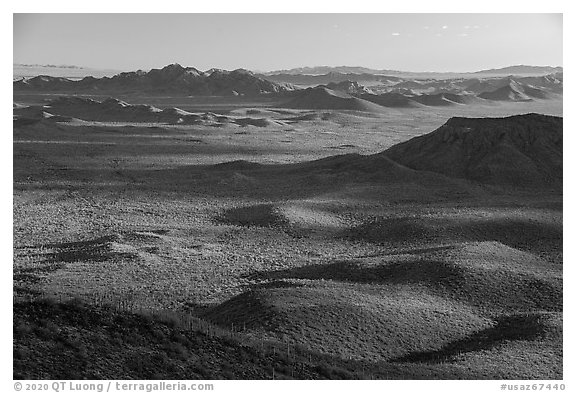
pixel 172 79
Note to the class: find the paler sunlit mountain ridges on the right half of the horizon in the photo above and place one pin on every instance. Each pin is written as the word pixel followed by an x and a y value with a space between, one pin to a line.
pixel 351 95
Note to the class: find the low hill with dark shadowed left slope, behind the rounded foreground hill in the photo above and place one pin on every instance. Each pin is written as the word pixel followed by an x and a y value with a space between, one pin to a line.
pixel 470 283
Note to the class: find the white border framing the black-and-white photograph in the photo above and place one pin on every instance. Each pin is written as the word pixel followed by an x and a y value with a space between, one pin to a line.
pixel 298 6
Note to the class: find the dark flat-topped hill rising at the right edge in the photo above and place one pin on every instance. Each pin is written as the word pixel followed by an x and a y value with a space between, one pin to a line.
pixel 516 150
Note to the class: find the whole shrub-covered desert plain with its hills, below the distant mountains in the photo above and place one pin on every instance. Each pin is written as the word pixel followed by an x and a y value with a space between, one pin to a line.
pixel 307 234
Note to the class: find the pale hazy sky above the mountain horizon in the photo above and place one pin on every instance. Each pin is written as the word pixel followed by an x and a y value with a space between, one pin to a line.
pixel 410 42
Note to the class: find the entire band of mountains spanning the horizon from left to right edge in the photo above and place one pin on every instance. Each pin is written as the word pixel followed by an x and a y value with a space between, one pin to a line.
pixel 383 90
